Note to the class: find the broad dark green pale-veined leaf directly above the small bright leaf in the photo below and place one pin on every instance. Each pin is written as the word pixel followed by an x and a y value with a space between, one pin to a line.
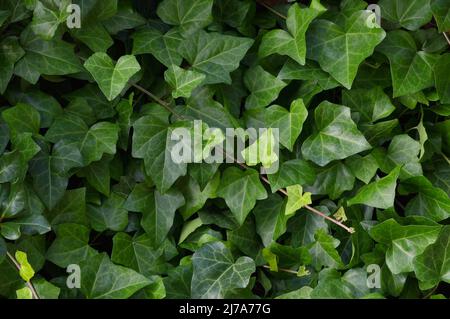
pixel 215 55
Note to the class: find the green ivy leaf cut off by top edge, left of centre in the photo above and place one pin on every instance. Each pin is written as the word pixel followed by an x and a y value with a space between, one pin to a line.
pixel 191 16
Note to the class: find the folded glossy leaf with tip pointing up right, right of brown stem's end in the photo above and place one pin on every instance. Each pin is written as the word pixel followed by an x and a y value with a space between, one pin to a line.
pixel 379 194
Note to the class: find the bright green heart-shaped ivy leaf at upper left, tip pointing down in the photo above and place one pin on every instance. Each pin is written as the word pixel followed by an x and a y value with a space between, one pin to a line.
pixel 112 78
